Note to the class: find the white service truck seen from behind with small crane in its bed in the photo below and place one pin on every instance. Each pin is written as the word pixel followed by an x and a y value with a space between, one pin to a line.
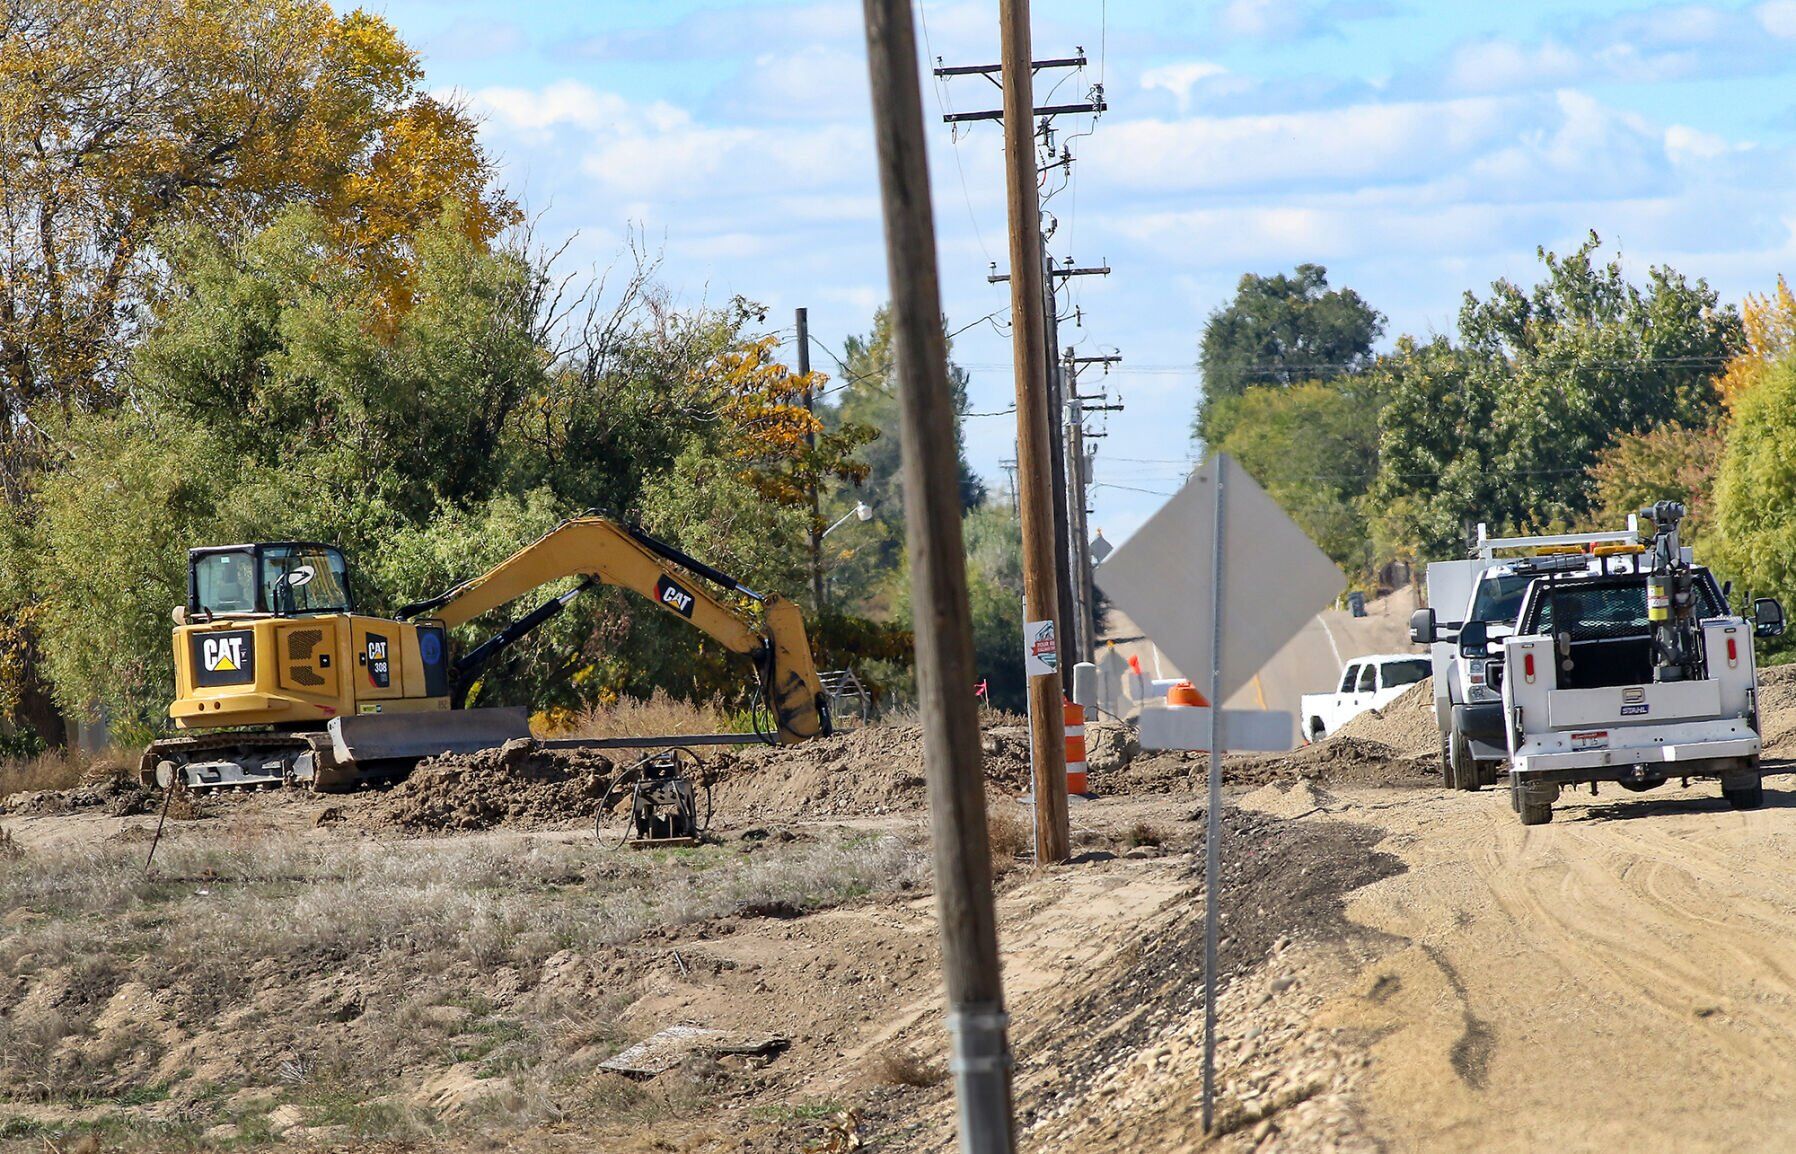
pixel 1626 665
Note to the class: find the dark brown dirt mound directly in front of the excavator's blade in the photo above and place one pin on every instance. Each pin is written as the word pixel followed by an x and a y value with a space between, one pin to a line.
pixel 518 785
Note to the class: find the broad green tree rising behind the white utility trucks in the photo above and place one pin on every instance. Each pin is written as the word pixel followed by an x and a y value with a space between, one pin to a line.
pixel 1506 426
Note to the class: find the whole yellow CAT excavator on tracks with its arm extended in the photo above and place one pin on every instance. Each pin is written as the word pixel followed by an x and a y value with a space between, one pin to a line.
pixel 281 681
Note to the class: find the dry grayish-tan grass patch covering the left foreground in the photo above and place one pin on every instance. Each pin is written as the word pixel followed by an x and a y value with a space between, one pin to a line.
pixel 373 965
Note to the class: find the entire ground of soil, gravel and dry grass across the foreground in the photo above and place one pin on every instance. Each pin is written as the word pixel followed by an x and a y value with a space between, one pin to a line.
pixel 450 965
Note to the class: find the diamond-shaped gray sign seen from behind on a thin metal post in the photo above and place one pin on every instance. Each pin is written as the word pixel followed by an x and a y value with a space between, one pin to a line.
pixel 1274 577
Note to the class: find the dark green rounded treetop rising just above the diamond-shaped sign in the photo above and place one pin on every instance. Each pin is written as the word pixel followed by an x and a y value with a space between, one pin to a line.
pixel 1281 331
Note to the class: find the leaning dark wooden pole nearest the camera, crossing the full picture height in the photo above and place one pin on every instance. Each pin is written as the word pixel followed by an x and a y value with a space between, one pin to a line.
pixel 944 620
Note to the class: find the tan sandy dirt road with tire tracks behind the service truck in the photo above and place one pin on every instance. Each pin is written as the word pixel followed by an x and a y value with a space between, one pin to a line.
pixel 1621 979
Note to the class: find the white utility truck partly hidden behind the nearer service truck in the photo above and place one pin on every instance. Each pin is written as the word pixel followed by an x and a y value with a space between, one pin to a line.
pixel 1486 588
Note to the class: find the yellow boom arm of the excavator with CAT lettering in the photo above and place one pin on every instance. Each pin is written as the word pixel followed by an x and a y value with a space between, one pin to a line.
pixel 610 554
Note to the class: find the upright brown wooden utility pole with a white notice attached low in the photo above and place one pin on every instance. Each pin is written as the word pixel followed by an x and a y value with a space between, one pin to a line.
pixel 1035 432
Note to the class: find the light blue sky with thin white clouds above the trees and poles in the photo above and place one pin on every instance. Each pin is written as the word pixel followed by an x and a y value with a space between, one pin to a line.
pixel 1416 150
